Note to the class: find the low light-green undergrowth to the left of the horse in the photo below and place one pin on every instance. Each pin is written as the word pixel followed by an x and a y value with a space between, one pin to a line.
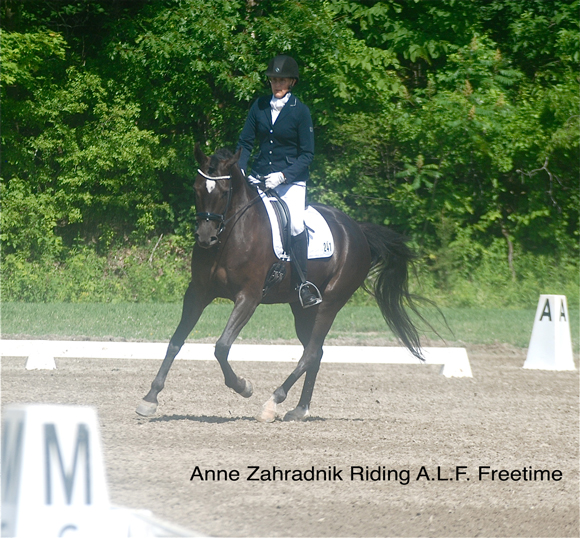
pixel 155 272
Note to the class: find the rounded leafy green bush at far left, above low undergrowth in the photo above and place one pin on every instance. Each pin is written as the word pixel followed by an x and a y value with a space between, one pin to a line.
pixel 81 167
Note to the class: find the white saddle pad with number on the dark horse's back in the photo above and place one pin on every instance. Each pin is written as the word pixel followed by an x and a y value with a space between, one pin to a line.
pixel 320 240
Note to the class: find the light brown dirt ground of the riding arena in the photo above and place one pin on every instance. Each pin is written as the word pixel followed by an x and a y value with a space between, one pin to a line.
pixel 400 418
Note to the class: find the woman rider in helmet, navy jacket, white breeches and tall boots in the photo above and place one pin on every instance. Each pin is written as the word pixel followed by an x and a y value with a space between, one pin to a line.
pixel 282 126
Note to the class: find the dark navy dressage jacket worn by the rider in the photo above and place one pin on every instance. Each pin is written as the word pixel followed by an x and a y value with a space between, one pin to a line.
pixel 287 146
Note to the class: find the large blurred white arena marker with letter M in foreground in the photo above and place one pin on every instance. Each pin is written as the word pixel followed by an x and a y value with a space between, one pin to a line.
pixel 53 475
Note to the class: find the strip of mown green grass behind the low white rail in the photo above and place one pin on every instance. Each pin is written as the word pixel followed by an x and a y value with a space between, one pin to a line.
pixel 156 322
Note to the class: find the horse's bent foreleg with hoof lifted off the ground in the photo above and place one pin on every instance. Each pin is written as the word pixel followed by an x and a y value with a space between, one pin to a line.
pixel 244 308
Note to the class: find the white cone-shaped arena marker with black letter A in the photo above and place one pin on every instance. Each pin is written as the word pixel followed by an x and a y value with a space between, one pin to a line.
pixel 551 345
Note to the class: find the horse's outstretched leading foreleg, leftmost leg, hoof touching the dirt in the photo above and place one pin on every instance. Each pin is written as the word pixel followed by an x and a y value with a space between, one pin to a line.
pixel 193 307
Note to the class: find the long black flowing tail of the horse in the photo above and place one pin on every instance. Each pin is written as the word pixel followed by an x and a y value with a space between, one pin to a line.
pixel 391 258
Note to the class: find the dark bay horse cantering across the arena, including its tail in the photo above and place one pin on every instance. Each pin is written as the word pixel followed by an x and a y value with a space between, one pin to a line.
pixel 233 255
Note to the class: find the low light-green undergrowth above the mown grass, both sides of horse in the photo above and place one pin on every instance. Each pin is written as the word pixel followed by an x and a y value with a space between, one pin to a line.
pixel 460 274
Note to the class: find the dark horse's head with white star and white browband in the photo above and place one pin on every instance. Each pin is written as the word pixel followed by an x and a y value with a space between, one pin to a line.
pixel 213 192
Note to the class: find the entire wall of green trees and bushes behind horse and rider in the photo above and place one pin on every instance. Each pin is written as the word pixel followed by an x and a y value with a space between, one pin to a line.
pixel 455 122
